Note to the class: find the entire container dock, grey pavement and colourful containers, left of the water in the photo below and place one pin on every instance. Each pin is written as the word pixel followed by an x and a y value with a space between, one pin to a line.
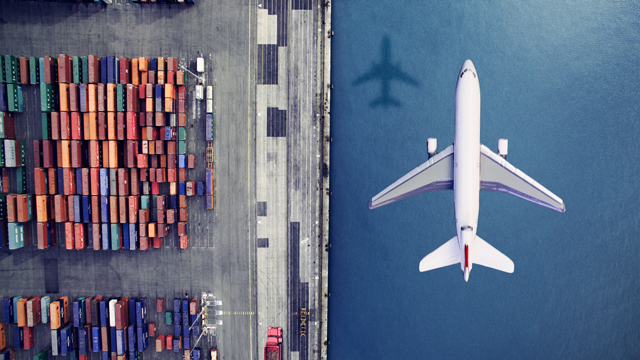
pixel 163 130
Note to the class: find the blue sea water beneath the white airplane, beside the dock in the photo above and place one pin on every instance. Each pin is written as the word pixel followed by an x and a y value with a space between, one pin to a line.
pixel 561 81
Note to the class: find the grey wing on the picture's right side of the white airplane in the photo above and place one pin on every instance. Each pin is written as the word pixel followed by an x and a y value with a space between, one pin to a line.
pixel 496 174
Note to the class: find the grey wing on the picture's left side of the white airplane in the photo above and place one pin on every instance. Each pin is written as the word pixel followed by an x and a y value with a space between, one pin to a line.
pixel 435 174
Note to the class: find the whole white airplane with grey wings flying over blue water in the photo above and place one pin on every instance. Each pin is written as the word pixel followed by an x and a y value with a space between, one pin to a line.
pixel 467 167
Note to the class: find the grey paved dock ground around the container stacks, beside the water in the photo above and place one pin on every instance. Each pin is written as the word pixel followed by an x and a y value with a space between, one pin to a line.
pixel 263 250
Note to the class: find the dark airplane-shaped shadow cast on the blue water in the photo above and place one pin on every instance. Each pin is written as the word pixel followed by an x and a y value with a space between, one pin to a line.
pixel 385 71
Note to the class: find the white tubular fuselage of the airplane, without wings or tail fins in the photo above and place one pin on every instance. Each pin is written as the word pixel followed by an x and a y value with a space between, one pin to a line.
pixel 466 157
